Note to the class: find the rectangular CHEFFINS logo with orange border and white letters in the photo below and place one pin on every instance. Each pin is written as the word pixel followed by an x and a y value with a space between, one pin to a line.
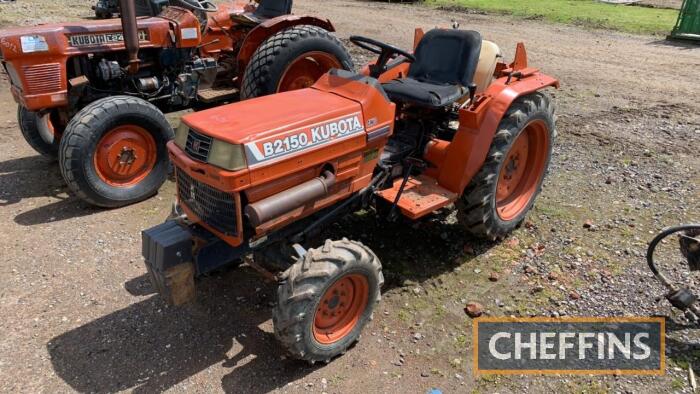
pixel 570 345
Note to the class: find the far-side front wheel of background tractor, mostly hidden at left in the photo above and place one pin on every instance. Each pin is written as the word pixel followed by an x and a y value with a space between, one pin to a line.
pixel 33 125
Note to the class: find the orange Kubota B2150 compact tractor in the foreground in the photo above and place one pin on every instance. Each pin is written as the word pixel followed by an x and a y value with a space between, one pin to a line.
pixel 449 123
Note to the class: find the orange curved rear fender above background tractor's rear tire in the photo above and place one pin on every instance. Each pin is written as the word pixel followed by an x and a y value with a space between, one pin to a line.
pixel 271 26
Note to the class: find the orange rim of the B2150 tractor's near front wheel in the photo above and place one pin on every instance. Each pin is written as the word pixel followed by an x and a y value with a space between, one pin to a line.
pixel 340 308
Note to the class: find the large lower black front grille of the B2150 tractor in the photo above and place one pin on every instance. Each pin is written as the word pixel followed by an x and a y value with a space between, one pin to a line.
pixel 215 207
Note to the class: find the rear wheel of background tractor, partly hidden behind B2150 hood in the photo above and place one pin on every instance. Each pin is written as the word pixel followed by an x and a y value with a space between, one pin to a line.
pixel 291 59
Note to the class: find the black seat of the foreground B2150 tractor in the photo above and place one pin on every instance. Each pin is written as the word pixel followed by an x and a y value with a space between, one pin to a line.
pixel 445 64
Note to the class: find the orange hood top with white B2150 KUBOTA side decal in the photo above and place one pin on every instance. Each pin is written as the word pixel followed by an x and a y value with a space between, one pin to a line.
pixel 281 125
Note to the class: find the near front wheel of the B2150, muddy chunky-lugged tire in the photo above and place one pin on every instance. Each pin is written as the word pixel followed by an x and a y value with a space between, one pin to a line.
pixel 341 277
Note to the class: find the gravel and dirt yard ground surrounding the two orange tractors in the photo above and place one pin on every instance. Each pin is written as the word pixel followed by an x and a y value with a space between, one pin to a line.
pixel 79 315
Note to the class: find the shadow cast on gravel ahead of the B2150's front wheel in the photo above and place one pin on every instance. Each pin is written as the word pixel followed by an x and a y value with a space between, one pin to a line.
pixel 149 346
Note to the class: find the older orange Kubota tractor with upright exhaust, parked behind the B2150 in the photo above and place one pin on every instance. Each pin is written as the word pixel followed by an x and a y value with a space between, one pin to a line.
pixel 93 94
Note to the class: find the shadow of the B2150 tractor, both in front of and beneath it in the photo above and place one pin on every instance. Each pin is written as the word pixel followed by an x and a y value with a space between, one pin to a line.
pixel 151 347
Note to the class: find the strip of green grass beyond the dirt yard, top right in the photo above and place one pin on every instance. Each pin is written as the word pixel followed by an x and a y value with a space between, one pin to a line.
pixel 589 13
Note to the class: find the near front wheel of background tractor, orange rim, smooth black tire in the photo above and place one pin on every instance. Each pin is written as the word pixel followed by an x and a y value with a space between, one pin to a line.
pixel 113 152
